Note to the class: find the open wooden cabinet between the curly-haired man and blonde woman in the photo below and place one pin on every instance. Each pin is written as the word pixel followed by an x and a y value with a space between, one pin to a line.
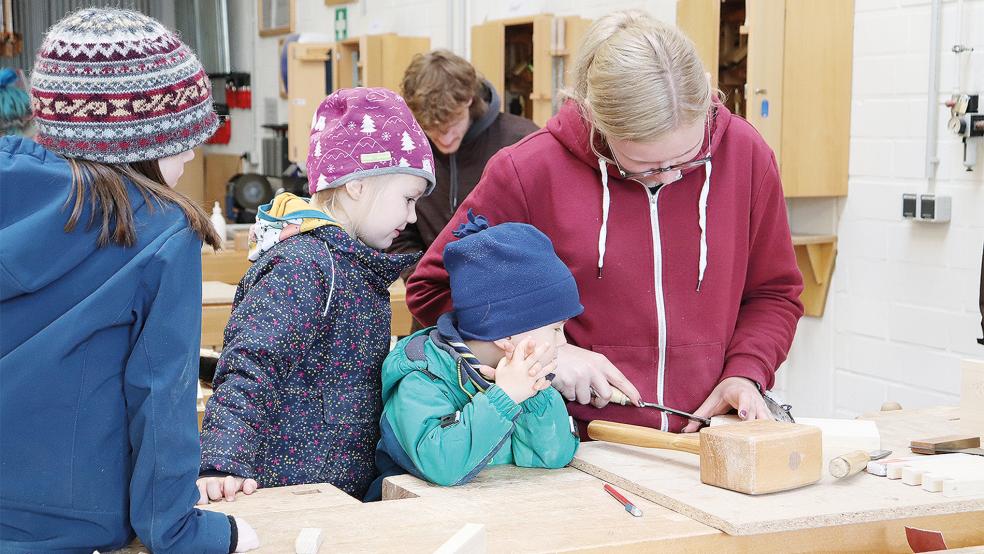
pixel 526 59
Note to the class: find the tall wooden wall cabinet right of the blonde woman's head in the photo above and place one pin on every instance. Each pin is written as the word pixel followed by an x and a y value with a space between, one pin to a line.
pixel 797 91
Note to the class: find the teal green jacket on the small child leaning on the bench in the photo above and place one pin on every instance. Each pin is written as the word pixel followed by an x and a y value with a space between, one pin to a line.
pixel 443 422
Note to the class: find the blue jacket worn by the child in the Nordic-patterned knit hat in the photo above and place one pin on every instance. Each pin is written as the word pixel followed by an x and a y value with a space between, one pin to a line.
pixel 98 373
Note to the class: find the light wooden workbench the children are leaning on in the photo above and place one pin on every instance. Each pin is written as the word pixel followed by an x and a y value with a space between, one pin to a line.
pixel 528 510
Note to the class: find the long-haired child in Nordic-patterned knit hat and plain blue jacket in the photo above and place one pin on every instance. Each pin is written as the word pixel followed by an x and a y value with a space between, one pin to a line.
pixel 100 285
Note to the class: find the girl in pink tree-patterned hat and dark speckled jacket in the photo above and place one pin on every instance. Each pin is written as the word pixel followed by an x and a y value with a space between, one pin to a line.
pixel 297 390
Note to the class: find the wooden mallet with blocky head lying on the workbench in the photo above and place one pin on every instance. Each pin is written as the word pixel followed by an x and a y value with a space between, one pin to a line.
pixel 752 457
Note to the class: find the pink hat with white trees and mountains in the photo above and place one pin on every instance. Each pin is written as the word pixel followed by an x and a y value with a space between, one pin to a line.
pixel 363 132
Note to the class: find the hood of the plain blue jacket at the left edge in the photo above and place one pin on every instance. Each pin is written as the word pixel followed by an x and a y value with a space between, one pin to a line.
pixel 29 221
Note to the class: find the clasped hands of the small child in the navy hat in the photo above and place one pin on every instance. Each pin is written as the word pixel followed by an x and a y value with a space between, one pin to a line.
pixel 524 373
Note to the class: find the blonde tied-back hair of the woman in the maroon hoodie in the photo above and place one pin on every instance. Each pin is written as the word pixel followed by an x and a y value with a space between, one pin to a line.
pixel 638 79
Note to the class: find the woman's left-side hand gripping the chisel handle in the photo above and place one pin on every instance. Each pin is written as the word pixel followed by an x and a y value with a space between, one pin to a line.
pixel 579 371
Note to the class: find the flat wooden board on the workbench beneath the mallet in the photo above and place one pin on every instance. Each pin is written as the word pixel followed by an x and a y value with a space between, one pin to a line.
pixel 671 479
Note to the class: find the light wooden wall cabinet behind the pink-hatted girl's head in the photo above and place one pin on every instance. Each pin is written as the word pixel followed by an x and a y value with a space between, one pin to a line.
pixel 316 69
